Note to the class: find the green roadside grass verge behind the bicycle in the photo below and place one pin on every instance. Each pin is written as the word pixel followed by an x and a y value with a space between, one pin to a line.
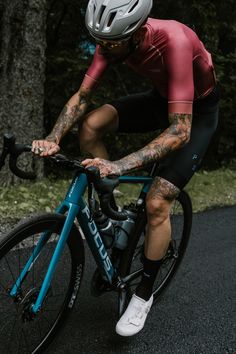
pixel 208 189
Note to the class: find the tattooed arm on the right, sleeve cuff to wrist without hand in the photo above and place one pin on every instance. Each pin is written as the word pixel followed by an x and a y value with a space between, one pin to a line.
pixel 173 138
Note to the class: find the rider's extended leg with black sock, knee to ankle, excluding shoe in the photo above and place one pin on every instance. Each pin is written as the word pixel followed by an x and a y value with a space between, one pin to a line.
pixel 159 201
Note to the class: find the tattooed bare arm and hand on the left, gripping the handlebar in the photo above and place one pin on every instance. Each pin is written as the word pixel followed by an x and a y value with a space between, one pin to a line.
pixel 71 113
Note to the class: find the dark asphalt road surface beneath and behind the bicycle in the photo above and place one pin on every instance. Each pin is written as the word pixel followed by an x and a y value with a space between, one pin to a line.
pixel 196 315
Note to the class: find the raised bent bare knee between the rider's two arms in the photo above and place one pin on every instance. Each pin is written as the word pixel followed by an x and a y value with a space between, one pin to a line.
pixel 93 127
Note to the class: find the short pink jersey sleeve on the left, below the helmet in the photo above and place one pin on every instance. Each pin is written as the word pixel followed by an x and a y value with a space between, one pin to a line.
pixel 96 70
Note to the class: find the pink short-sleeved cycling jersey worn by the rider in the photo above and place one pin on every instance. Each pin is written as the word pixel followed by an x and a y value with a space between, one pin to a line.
pixel 173 58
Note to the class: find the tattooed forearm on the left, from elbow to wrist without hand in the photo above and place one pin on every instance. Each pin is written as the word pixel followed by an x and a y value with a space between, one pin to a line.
pixel 71 113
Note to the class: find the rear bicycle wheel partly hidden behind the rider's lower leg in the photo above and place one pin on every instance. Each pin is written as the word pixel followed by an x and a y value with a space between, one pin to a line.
pixel 133 253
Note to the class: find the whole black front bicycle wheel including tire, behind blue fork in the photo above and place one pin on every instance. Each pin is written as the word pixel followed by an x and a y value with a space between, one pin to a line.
pixel 34 335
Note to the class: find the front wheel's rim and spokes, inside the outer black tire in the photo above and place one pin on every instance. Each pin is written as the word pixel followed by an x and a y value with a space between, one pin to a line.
pixel 20 332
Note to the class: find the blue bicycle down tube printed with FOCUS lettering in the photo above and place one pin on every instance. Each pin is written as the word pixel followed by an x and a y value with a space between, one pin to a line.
pixel 95 242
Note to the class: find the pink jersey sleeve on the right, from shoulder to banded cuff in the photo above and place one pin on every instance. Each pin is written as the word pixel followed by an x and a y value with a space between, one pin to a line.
pixel 179 65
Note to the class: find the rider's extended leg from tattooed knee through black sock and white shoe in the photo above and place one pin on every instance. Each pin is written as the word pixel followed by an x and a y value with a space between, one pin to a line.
pixel 158 204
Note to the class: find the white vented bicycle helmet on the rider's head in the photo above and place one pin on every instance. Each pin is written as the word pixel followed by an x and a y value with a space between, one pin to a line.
pixel 116 19
